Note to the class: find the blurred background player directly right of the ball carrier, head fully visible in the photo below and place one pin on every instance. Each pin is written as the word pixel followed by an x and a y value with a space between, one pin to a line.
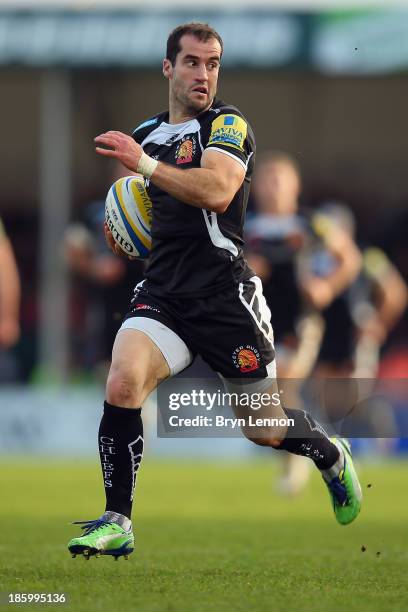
pixel 281 245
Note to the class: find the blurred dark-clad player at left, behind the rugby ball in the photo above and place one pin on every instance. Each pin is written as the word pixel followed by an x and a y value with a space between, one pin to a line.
pixel 100 288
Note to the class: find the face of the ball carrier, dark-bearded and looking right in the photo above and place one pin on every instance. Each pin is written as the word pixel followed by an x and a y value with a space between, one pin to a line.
pixel 193 78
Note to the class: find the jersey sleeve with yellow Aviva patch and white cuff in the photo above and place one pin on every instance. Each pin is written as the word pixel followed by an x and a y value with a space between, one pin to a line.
pixel 231 134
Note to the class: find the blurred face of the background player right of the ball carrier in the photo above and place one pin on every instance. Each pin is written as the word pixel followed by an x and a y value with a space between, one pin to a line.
pixel 276 188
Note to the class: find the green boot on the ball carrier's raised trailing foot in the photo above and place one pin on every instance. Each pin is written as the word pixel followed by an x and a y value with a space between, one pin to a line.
pixel 344 488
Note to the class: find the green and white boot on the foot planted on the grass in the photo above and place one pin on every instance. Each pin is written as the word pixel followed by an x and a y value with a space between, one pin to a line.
pixel 103 536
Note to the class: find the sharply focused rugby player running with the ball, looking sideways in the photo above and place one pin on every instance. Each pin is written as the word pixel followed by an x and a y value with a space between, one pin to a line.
pixel 199 296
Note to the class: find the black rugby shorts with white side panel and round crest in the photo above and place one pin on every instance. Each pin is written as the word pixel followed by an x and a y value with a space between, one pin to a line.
pixel 230 330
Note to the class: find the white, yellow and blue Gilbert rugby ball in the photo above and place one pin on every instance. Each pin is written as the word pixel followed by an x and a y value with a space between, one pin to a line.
pixel 128 215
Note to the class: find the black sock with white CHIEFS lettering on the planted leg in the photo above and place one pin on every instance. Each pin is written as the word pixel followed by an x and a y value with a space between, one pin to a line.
pixel 120 443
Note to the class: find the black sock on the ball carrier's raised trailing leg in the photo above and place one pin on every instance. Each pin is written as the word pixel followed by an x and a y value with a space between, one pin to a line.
pixel 309 439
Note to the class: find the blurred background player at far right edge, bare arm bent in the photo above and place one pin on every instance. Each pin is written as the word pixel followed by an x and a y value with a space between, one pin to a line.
pixel 357 325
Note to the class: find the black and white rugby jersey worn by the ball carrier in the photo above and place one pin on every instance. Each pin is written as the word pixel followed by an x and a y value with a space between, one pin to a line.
pixel 196 252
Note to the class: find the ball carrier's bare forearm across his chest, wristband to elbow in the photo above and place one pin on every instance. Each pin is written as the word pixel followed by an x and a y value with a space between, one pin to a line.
pixel 198 187
